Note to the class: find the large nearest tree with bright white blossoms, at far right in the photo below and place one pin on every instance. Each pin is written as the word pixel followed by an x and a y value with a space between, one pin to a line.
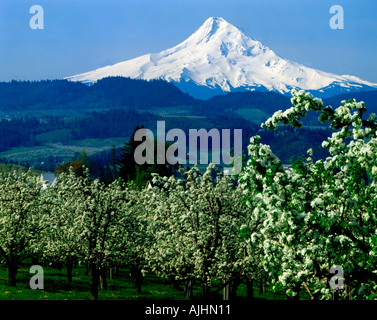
pixel 322 214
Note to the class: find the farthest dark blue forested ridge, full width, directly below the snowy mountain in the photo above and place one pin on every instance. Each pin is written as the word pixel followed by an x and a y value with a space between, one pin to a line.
pixel 117 92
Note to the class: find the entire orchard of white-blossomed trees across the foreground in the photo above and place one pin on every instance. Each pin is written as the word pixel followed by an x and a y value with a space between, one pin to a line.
pixel 287 228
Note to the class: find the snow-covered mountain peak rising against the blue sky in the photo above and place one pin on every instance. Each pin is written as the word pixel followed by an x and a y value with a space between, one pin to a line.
pixel 218 58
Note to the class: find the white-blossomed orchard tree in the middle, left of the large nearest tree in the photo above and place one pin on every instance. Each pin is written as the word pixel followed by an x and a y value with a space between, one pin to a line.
pixel 195 227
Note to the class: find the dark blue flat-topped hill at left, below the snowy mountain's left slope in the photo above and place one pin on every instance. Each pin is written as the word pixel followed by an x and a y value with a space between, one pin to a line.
pixel 106 93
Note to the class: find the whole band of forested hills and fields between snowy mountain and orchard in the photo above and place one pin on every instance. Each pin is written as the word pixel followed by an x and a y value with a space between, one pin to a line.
pixel 111 109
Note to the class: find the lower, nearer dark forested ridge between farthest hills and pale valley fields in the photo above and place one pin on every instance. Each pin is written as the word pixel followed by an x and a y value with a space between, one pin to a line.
pixel 26 132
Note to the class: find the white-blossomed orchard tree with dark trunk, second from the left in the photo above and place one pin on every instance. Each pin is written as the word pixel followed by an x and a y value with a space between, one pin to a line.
pixel 84 223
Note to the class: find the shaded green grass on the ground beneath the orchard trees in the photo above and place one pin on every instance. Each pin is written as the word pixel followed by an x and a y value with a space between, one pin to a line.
pixel 121 287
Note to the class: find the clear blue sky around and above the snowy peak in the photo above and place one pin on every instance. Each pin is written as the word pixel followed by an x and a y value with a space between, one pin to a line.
pixel 82 35
